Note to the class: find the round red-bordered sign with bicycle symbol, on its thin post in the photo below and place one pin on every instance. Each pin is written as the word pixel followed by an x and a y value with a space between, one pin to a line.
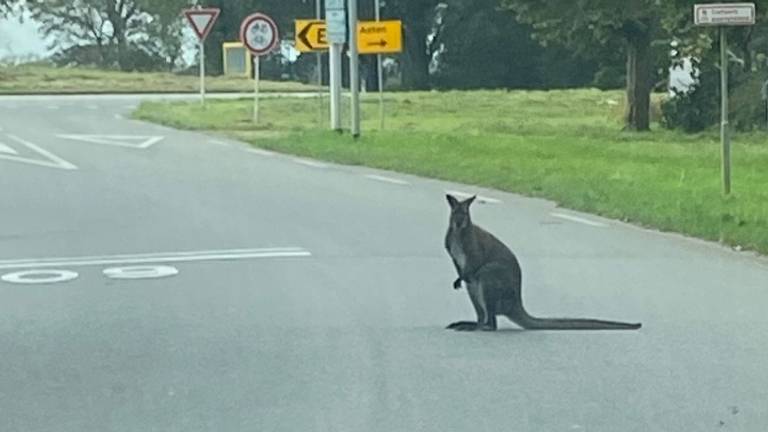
pixel 258 33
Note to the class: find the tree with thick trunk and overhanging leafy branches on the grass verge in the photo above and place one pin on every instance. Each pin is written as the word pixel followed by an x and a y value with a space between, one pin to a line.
pixel 583 23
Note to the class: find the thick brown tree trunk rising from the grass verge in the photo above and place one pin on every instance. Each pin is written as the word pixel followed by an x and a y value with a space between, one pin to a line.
pixel 639 85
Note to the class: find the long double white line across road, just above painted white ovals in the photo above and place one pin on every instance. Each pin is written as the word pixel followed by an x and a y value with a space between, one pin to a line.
pixel 163 257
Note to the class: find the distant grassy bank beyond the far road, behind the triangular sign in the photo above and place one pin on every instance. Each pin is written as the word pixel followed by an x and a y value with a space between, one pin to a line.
pixel 40 78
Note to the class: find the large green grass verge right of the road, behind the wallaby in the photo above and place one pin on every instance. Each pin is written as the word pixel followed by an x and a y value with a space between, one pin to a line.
pixel 563 145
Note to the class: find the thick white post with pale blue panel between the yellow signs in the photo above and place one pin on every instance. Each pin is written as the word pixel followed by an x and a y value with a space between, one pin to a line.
pixel 336 21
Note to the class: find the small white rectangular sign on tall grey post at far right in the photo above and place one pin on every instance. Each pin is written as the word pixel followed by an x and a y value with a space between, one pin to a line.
pixel 722 15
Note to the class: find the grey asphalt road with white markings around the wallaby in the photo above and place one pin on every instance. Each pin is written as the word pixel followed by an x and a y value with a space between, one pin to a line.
pixel 277 294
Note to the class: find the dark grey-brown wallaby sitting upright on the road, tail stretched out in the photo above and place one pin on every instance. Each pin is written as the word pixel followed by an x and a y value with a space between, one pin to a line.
pixel 493 279
